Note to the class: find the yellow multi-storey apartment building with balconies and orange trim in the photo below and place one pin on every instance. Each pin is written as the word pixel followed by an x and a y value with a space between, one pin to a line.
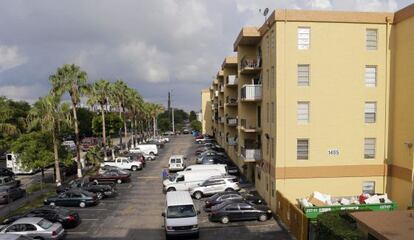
pixel 323 104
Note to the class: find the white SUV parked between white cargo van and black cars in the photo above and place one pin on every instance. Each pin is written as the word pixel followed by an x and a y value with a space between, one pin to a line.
pixel 215 185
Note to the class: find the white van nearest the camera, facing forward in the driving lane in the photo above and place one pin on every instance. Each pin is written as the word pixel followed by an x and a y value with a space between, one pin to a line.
pixel 180 215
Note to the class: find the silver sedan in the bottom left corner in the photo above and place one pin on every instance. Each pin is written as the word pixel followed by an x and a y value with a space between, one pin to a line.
pixel 36 228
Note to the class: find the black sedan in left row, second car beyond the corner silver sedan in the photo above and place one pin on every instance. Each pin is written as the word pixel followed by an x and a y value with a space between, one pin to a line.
pixel 73 198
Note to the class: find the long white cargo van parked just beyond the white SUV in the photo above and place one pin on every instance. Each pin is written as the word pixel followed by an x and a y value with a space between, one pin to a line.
pixel 183 181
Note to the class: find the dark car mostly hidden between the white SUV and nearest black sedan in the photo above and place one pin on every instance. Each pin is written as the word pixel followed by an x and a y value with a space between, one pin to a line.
pixel 231 196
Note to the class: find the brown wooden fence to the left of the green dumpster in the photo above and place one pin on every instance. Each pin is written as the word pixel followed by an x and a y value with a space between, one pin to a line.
pixel 292 216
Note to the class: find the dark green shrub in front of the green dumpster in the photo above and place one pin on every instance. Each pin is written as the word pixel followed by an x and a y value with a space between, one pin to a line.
pixel 337 225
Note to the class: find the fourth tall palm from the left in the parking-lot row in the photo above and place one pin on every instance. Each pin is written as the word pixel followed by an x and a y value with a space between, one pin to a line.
pixel 119 95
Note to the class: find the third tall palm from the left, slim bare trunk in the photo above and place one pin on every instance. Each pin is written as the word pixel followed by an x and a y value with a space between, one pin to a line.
pixel 99 95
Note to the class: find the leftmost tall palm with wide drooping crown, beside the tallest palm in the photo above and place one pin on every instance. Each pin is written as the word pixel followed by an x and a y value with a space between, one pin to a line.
pixel 47 113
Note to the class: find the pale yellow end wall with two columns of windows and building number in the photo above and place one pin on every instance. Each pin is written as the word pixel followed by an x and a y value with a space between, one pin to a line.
pixel 337 93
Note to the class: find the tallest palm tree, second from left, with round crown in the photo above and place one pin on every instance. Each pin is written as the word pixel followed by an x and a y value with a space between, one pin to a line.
pixel 70 78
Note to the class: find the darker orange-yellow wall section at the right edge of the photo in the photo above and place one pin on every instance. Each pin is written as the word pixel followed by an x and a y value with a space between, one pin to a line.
pixel 402 114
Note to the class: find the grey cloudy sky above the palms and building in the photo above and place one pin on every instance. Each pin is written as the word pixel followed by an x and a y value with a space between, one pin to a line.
pixel 153 45
